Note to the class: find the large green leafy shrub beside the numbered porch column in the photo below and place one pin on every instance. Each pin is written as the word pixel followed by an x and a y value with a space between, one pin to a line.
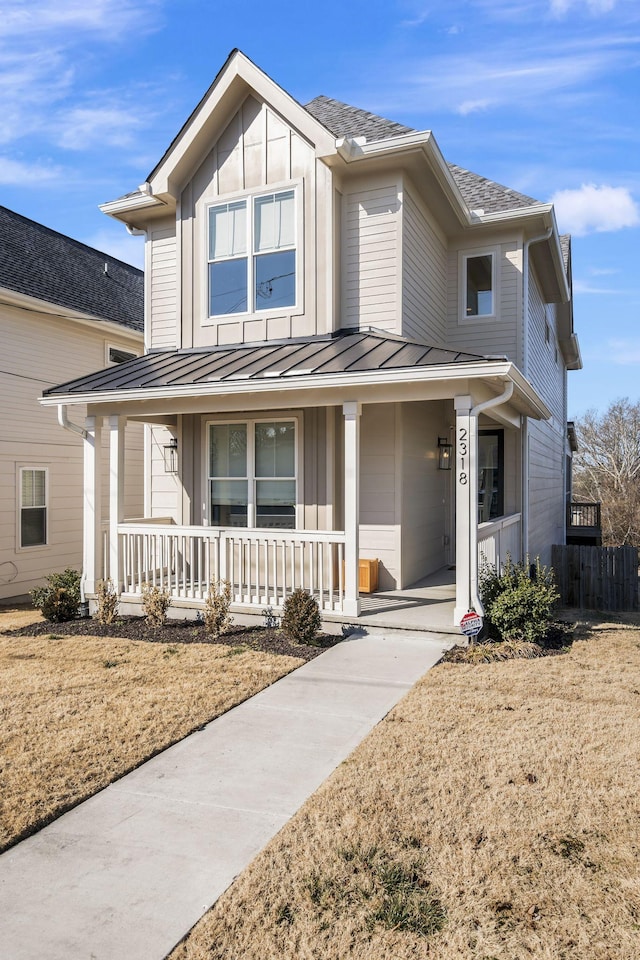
pixel 519 602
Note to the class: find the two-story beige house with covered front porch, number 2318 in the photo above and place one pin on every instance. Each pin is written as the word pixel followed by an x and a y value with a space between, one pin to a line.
pixel 333 315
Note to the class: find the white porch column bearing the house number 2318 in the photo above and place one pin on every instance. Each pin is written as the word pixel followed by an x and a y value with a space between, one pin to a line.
pixel 466 511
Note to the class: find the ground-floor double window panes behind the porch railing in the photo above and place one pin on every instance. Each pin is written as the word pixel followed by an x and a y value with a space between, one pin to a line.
pixel 252 474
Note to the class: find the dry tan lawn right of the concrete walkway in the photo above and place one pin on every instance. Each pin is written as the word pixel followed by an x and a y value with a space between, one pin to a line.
pixel 498 805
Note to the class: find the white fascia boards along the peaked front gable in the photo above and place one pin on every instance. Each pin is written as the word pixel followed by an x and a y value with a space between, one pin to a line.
pixel 244 75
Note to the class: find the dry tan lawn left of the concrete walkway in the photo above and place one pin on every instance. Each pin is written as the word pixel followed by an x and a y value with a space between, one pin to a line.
pixel 78 712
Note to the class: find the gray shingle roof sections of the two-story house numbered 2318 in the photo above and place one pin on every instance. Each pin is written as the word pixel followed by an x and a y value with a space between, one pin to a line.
pixel 478 192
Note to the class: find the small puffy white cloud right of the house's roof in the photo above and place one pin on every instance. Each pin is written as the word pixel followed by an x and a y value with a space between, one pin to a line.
pixel 595 209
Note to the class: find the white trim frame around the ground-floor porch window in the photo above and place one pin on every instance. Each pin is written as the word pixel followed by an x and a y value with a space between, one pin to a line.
pixel 297 417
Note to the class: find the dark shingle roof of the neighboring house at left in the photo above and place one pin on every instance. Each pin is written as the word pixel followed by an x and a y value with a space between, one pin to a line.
pixel 42 263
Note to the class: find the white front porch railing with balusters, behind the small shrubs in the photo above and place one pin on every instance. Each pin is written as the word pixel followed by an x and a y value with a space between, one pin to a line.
pixel 262 566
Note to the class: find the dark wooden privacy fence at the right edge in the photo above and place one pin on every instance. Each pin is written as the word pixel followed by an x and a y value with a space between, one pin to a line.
pixel 597 578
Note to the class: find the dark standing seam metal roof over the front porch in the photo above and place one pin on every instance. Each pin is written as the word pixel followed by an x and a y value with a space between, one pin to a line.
pixel 347 352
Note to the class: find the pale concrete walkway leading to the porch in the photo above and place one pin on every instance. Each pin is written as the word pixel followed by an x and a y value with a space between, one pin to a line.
pixel 127 873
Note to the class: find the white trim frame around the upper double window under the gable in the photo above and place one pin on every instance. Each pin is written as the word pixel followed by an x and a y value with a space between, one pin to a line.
pixel 265 191
